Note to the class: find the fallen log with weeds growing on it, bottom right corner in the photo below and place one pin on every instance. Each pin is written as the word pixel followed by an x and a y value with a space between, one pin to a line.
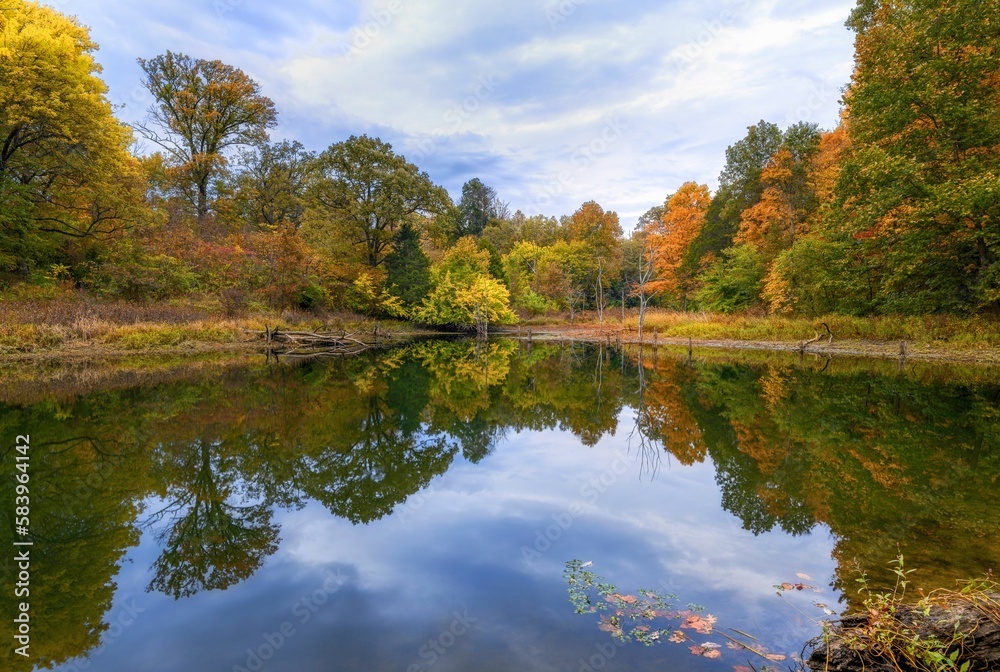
pixel 967 629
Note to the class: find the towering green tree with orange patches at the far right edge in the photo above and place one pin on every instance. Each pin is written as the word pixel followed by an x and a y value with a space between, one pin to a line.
pixel 919 194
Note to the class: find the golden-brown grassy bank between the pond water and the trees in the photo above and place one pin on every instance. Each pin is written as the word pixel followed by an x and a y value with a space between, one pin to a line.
pixel 74 324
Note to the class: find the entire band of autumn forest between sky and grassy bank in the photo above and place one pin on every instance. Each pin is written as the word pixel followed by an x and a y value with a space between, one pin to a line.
pixel 897 210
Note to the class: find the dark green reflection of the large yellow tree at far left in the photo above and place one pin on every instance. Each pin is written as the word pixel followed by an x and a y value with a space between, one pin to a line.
pixel 87 481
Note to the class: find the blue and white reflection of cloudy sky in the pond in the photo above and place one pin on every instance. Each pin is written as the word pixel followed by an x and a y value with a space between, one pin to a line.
pixel 461 550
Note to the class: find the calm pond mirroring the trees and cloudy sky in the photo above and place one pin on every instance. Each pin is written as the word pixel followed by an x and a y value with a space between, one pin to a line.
pixel 419 508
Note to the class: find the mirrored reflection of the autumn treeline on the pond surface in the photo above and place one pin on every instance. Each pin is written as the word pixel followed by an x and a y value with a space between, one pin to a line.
pixel 207 464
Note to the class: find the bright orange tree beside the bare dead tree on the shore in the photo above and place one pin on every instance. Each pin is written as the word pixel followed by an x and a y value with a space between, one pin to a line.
pixel 679 225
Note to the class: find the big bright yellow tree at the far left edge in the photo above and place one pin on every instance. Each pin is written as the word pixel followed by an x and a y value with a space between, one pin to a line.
pixel 65 169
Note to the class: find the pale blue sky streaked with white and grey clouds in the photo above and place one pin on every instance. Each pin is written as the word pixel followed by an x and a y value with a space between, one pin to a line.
pixel 551 102
